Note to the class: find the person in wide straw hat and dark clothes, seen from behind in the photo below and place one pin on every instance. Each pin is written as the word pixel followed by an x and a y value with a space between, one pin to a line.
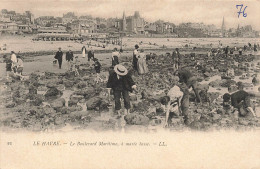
pixel 121 83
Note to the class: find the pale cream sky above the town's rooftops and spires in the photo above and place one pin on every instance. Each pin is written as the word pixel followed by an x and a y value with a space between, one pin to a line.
pixel 175 11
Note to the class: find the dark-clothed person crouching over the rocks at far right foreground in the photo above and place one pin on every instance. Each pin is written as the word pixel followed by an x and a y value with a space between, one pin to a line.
pixel 241 101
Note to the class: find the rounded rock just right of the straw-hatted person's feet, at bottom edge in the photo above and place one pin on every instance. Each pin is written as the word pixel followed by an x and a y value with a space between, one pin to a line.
pixel 136 119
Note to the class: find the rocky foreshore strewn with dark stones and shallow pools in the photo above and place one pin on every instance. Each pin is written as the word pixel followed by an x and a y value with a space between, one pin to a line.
pixel 51 101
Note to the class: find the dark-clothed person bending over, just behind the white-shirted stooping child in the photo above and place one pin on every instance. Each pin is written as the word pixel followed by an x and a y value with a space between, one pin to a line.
pixel 187 80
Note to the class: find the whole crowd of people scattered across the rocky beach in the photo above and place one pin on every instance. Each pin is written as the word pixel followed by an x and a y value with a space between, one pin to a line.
pixel 176 100
